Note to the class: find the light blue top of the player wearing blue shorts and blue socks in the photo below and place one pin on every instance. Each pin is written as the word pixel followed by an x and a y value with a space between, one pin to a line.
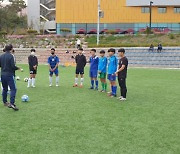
pixel 112 65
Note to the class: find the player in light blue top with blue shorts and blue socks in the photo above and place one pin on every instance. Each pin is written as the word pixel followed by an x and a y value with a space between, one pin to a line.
pixel 112 68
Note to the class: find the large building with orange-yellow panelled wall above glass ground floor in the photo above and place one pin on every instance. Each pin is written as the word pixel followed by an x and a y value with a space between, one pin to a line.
pixel 118 14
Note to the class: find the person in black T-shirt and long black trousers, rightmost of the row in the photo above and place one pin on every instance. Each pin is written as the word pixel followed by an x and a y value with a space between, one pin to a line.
pixel 122 74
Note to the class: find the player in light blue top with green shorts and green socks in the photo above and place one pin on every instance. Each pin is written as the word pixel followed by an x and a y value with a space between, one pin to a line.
pixel 102 69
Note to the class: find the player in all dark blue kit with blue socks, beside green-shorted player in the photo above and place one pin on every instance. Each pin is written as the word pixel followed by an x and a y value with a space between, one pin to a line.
pixel 94 61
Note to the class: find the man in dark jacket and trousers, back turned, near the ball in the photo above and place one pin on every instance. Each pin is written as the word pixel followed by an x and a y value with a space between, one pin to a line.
pixel 8 68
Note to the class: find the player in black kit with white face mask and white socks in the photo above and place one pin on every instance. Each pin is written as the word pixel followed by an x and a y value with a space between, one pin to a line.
pixel 33 64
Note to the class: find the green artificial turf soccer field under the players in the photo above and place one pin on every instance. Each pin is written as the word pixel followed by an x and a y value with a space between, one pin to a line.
pixel 67 120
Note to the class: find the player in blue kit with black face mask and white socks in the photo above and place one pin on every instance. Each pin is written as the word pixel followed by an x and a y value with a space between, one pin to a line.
pixel 53 62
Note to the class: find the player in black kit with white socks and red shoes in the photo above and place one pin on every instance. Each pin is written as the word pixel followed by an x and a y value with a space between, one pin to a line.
pixel 80 64
